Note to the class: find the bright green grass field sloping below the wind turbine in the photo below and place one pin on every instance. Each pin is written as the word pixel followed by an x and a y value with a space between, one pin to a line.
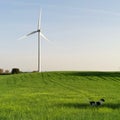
pixel 59 96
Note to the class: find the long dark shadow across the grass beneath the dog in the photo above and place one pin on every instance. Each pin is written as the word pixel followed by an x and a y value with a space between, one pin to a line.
pixel 83 106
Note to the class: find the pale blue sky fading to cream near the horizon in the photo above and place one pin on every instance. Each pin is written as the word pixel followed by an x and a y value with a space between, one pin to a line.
pixel 84 35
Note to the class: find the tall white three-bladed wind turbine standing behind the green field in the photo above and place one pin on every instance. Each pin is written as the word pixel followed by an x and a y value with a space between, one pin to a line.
pixel 39 41
